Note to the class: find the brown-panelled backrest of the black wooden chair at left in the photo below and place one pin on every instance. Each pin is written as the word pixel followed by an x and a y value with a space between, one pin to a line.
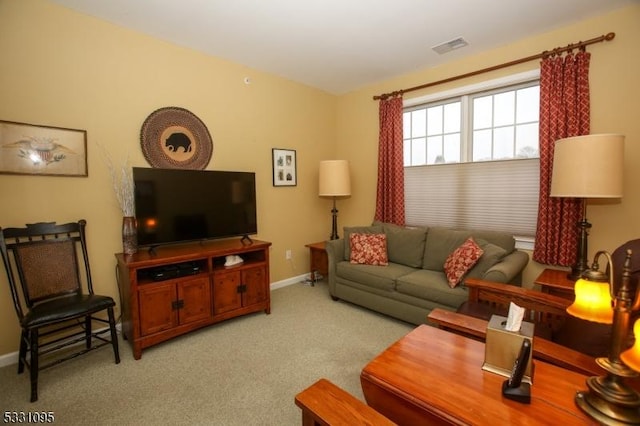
pixel 43 261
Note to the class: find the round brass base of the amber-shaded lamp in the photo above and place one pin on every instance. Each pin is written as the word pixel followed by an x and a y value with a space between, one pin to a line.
pixel 609 401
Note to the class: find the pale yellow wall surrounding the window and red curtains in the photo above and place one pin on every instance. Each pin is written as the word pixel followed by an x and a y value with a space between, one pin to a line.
pixel 615 106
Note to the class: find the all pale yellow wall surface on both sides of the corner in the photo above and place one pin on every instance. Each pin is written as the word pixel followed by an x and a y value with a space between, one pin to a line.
pixel 64 69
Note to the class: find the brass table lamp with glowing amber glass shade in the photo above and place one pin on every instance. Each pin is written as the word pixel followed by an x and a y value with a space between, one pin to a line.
pixel 609 399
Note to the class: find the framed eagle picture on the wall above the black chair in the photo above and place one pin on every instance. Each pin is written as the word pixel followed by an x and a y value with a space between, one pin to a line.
pixel 30 149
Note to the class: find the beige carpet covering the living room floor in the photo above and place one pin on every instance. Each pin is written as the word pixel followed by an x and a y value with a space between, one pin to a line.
pixel 245 371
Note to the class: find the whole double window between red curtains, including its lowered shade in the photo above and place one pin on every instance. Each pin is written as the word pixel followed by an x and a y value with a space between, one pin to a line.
pixel 471 157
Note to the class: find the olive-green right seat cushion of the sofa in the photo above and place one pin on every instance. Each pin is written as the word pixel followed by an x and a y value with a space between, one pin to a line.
pixel 432 286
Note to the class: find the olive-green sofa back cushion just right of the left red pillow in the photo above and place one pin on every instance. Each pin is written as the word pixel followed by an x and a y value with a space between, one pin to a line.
pixel 404 245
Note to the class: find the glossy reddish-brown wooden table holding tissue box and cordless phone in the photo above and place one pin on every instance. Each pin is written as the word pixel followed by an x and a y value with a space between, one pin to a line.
pixel 432 376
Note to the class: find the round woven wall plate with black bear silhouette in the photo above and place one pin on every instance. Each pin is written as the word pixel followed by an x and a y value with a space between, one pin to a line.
pixel 174 138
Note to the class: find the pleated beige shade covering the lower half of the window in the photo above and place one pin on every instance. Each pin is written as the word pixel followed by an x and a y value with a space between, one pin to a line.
pixel 491 195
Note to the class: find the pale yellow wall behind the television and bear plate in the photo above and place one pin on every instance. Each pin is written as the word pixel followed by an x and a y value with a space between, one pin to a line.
pixel 64 69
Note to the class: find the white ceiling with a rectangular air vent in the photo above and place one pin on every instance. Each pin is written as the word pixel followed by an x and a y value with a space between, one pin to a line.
pixel 341 45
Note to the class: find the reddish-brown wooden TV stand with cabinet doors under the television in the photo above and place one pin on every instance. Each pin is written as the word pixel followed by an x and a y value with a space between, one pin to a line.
pixel 196 288
